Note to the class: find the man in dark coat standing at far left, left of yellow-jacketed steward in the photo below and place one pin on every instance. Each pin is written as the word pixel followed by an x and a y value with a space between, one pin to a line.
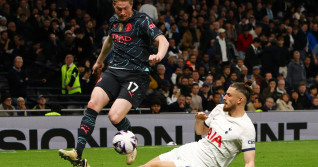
pixel 18 79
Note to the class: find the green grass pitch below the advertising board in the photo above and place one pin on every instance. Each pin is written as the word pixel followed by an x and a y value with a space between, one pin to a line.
pixel 268 154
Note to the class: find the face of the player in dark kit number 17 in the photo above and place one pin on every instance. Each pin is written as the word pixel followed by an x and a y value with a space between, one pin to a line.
pixel 123 10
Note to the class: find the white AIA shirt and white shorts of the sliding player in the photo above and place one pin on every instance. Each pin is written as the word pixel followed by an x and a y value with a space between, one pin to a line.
pixel 227 137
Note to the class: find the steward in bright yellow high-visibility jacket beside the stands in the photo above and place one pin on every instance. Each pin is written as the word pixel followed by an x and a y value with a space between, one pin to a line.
pixel 70 77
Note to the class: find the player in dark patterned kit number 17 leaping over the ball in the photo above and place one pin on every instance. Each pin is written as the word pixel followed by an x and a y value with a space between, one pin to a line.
pixel 126 79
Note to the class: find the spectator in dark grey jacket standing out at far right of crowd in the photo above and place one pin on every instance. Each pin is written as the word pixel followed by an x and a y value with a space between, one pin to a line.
pixel 296 71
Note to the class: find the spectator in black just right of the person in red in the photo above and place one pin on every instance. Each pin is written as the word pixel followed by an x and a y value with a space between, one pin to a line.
pixel 251 57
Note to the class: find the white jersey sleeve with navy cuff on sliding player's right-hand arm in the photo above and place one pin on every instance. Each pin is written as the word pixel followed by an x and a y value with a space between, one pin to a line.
pixel 248 139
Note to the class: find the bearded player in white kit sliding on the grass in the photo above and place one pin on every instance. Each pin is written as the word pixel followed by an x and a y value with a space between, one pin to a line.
pixel 229 131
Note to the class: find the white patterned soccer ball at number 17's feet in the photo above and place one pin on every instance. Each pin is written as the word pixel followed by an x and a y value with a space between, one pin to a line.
pixel 124 142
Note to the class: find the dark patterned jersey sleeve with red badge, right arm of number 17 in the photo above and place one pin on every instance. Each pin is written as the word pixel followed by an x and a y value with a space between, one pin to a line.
pixel 150 28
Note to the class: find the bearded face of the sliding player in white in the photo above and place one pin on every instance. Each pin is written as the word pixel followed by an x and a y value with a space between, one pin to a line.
pixel 230 99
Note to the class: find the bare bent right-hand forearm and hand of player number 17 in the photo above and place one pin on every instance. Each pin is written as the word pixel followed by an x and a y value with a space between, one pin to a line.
pixel 162 50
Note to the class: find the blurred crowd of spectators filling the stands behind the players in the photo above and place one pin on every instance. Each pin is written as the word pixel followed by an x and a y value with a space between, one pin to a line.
pixel 211 45
